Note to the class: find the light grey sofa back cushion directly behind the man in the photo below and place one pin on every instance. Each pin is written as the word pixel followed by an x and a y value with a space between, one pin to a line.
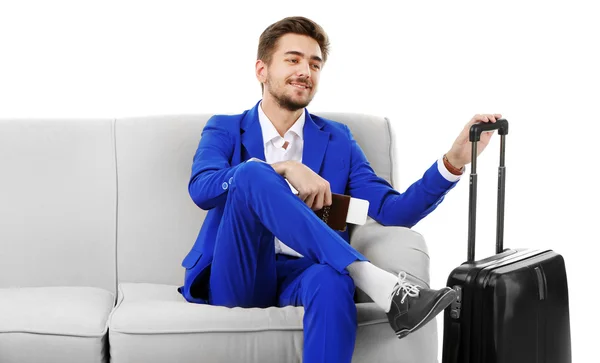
pixel 157 220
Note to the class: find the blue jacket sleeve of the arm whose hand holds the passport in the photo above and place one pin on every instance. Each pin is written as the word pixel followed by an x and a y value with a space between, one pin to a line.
pixel 211 168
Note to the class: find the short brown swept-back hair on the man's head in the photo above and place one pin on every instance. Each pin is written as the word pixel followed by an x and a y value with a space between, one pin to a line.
pixel 293 24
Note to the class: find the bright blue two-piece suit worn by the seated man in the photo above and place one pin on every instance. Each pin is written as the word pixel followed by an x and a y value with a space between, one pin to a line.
pixel 233 261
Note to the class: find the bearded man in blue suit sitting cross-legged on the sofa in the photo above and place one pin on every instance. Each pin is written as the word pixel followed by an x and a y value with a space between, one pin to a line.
pixel 262 245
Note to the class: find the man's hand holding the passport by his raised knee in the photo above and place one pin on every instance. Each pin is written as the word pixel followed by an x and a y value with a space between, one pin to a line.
pixel 312 189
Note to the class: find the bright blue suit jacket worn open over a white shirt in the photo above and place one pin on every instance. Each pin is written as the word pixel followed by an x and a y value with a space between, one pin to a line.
pixel 330 150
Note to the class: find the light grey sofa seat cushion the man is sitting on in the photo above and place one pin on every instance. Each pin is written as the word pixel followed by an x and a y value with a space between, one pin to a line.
pixel 153 323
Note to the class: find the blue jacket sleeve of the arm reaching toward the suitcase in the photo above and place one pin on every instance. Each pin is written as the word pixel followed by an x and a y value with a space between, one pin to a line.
pixel 388 206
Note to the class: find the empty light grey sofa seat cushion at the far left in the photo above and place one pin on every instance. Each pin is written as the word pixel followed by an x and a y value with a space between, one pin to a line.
pixel 64 324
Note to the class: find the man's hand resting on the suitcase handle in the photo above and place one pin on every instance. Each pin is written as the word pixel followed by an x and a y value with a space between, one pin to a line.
pixel 460 153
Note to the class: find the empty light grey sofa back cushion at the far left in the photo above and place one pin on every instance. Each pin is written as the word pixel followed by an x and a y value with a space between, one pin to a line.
pixel 57 203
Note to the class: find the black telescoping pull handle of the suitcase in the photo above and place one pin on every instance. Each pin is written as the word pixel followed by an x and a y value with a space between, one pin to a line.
pixel 474 134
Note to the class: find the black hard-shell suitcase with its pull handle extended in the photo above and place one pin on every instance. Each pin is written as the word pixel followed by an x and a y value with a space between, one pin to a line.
pixel 512 307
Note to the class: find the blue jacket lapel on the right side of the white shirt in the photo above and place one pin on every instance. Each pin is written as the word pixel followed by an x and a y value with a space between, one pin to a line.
pixel 315 143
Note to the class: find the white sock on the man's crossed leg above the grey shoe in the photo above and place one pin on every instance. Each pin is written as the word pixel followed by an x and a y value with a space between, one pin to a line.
pixel 375 282
